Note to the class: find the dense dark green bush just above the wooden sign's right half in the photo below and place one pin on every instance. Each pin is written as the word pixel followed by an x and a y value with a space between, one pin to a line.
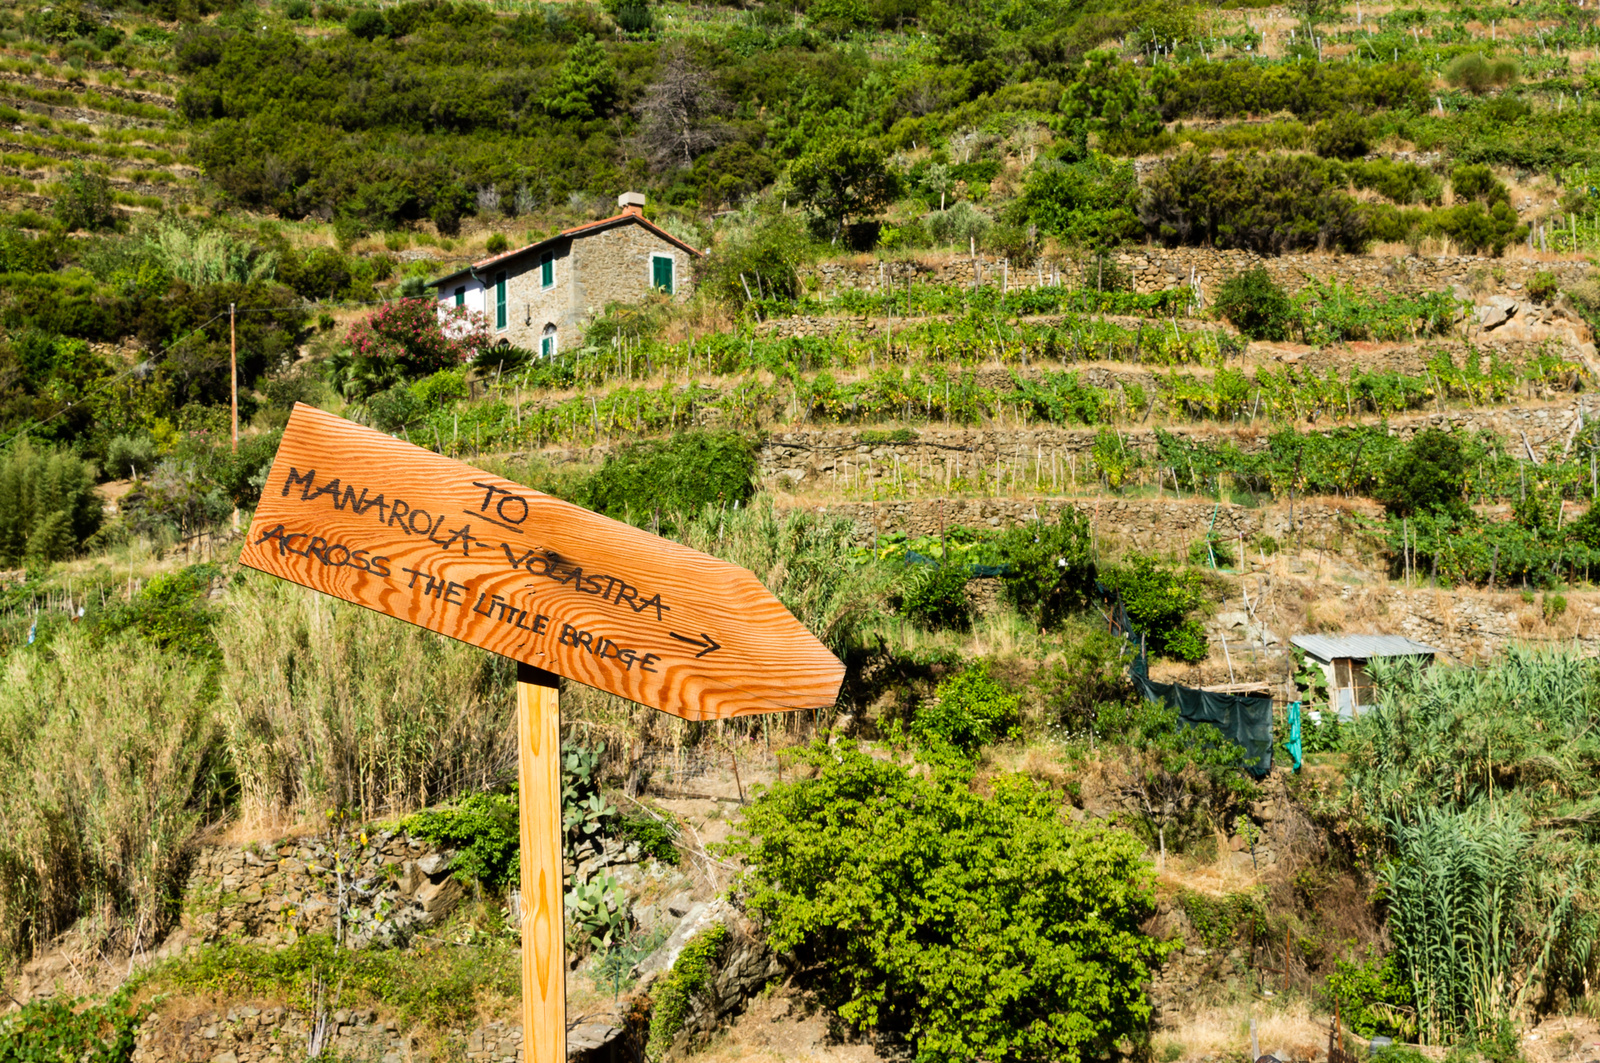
pixel 674 478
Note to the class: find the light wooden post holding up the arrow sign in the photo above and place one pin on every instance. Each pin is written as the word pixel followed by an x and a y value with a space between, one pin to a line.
pixel 540 816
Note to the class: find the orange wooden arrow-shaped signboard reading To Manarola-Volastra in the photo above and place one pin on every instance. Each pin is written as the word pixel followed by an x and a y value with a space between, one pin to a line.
pixel 402 531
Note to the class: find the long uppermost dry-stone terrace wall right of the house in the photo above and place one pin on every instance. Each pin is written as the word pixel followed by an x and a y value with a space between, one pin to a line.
pixel 1156 268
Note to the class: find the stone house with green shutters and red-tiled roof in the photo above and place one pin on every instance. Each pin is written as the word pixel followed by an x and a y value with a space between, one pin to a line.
pixel 542 295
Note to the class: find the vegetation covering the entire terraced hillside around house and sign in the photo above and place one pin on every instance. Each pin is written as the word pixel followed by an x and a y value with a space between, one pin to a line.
pixel 993 848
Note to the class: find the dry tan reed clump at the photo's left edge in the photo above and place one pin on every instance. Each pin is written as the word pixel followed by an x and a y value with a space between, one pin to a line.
pixel 110 761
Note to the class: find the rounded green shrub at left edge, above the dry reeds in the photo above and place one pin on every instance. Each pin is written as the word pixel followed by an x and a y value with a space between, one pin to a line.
pixel 49 505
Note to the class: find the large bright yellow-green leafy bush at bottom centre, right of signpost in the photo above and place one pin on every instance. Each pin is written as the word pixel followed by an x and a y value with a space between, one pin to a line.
pixel 975 926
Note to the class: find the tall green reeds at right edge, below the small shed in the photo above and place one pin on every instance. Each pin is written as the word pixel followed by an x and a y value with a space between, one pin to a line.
pixel 1484 782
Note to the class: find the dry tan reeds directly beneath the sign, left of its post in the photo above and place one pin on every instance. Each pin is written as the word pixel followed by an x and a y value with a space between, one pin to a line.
pixel 330 705
